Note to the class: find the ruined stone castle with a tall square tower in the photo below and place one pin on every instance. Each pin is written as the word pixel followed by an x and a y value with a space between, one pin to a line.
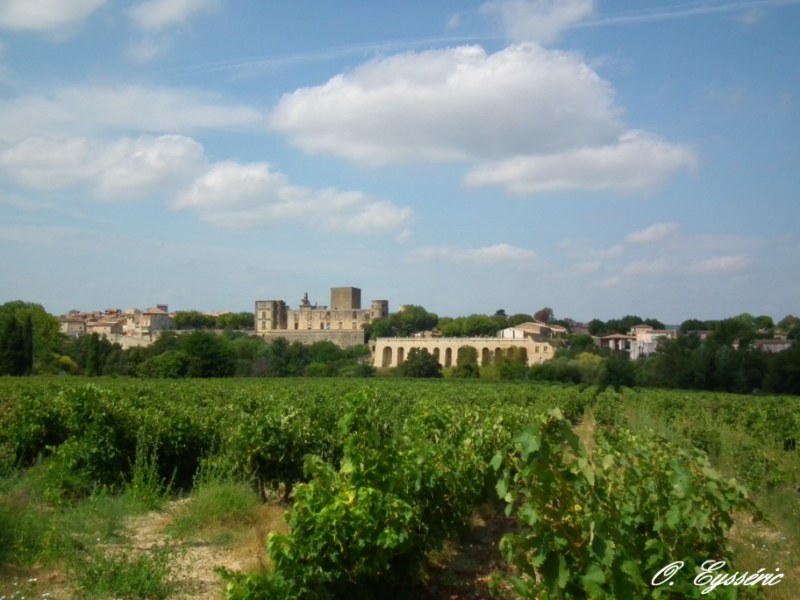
pixel 342 322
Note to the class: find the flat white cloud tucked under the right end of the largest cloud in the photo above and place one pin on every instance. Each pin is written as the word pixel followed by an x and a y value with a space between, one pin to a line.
pixel 637 162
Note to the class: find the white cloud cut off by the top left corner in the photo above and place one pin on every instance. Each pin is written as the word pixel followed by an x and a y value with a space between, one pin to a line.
pixel 45 15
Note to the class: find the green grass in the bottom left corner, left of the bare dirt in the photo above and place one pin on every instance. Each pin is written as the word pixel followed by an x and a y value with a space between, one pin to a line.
pixel 46 544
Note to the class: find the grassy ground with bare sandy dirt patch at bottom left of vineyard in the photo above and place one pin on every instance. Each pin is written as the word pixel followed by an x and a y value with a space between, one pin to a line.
pixel 96 546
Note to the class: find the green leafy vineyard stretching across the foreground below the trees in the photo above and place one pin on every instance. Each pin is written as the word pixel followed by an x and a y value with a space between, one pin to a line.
pixel 605 489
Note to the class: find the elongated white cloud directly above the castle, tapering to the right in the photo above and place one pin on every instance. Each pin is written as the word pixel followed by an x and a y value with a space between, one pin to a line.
pixel 236 195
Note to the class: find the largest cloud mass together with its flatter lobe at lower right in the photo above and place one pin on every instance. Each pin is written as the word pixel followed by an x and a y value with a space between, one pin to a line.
pixel 532 120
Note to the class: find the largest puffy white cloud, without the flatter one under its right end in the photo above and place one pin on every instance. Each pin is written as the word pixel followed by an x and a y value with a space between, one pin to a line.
pixel 453 104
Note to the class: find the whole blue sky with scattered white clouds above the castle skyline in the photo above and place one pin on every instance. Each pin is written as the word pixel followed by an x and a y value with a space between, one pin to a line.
pixel 464 156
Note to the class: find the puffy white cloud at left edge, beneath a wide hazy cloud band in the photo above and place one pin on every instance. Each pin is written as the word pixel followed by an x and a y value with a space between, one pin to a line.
pixel 121 168
